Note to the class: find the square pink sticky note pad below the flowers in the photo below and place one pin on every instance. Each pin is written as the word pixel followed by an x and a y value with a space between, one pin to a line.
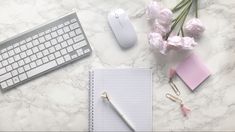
pixel 192 71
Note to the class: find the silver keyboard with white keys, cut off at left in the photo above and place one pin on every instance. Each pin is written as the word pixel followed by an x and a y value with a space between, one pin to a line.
pixel 42 49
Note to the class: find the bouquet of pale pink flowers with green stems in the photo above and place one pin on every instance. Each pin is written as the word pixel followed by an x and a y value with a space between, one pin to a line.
pixel 169 31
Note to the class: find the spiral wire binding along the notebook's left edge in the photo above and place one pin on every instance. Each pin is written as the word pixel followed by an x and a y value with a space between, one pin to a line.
pixel 91 100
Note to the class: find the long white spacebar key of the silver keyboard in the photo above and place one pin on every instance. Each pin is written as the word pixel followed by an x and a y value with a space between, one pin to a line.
pixel 41 68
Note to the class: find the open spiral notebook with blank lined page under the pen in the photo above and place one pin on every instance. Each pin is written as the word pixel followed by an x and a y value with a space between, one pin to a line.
pixel 130 90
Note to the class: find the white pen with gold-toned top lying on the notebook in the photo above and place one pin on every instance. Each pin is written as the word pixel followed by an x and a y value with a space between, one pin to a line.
pixel 106 97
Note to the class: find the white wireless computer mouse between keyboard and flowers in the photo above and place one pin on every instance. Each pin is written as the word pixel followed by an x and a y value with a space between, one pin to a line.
pixel 122 28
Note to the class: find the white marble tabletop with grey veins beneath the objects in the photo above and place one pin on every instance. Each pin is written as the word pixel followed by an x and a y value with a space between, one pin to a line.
pixel 59 100
